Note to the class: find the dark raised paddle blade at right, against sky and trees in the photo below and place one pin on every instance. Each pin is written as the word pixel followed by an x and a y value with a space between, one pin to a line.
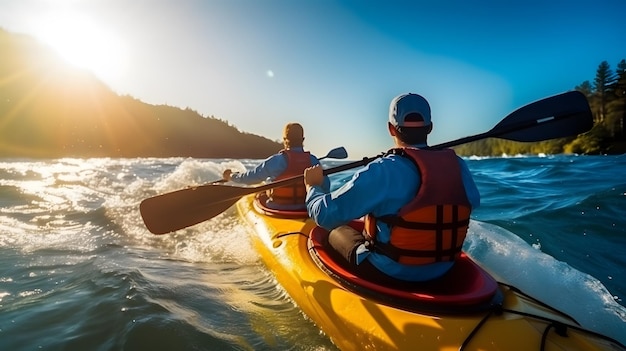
pixel 557 116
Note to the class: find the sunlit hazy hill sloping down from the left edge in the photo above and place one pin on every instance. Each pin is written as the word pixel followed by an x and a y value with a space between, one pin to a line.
pixel 49 109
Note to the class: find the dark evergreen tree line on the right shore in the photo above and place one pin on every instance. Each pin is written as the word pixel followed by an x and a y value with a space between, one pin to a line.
pixel 607 99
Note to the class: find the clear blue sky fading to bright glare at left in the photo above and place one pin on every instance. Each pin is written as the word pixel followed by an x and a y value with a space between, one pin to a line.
pixel 333 66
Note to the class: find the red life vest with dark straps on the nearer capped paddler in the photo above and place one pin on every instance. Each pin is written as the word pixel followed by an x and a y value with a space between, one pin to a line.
pixel 431 227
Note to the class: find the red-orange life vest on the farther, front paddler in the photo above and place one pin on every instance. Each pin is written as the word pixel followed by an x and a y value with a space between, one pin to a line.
pixel 294 193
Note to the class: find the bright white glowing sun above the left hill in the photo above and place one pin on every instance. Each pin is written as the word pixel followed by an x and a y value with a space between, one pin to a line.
pixel 82 42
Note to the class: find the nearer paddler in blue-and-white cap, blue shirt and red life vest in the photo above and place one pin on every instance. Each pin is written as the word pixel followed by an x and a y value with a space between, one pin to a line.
pixel 416 202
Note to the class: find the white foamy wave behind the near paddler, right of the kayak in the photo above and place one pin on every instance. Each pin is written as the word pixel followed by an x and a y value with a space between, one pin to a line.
pixel 511 260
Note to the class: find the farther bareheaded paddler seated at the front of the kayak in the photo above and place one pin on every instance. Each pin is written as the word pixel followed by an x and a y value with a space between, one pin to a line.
pixel 290 161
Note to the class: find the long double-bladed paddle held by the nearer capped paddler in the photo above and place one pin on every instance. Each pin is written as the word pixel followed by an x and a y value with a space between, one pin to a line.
pixel 553 117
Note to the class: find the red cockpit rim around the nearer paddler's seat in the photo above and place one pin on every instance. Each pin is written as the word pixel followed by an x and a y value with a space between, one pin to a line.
pixel 466 288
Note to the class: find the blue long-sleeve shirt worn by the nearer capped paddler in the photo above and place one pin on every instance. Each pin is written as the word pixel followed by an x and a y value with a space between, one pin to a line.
pixel 381 188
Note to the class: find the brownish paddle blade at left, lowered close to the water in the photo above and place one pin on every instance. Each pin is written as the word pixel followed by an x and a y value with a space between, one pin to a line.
pixel 183 208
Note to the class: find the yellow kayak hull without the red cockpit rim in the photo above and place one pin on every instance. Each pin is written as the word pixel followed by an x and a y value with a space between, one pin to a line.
pixel 355 321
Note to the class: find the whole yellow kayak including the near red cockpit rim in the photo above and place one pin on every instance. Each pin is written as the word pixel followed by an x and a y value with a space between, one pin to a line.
pixel 464 310
